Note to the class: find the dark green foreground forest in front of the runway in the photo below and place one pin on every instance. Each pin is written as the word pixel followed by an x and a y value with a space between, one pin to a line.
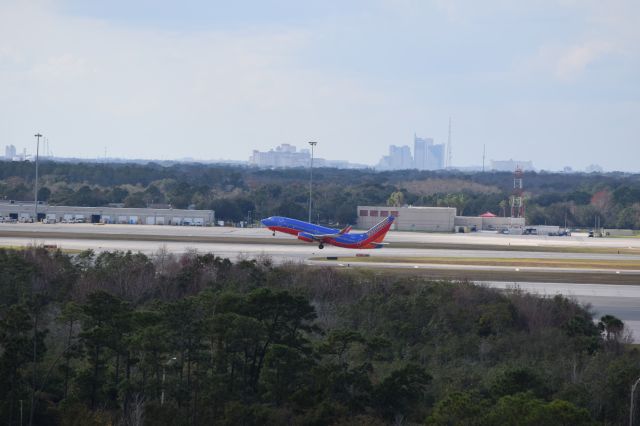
pixel 129 339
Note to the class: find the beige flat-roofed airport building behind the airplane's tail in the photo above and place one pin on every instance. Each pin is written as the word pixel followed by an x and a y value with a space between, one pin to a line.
pixel 435 219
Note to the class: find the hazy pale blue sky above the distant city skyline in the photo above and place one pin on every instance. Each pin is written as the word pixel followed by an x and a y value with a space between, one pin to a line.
pixel 556 82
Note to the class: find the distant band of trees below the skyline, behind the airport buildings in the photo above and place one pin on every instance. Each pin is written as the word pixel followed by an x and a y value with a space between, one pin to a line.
pixel 238 193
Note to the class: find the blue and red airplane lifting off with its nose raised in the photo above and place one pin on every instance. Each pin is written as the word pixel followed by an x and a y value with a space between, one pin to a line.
pixel 322 235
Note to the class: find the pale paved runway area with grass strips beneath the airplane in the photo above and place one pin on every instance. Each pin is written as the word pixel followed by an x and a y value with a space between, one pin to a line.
pixel 595 287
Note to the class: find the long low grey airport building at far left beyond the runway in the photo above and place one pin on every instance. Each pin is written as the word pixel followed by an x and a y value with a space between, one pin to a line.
pixel 25 212
